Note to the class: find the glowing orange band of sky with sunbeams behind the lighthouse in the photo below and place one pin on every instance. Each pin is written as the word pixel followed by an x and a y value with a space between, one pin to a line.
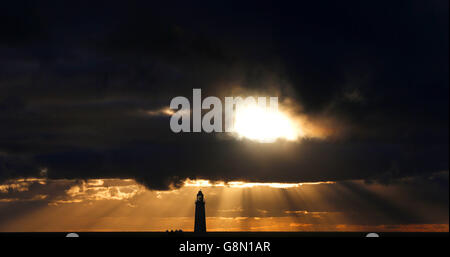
pixel 124 205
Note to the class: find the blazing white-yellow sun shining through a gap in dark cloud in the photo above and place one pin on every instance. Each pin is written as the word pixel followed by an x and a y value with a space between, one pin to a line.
pixel 264 124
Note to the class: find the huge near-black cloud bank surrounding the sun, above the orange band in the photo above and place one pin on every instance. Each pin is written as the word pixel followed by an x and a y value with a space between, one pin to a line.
pixel 75 78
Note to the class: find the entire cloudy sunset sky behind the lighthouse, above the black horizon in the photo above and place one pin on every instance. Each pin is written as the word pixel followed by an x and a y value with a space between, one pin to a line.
pixel 85 129
